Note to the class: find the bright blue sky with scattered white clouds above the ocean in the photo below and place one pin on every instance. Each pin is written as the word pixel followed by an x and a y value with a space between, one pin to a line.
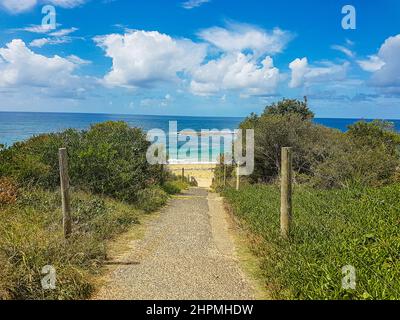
pixel 200 57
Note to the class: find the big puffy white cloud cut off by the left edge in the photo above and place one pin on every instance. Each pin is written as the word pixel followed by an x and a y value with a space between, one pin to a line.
pixel 20 67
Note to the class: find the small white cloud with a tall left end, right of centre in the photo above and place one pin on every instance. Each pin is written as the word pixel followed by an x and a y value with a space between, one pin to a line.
pixel 304 74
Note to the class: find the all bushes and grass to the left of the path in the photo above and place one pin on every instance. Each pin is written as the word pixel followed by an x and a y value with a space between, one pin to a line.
pixel 112 187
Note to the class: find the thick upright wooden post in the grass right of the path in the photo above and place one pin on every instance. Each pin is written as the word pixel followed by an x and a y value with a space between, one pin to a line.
pixel 286 191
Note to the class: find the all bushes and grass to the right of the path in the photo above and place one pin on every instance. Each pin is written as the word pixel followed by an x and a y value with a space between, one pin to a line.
pixel 346 209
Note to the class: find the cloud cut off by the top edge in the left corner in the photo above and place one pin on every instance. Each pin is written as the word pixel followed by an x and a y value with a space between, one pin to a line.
pixel 18 6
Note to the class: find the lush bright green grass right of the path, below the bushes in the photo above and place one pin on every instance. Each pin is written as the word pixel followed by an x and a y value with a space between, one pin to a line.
pixel 331 229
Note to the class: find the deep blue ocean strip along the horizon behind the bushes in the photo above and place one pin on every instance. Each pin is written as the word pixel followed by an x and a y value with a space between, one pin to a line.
pixel 19 126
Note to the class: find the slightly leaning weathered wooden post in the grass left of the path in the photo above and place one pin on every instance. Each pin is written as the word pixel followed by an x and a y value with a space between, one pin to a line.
pixel 66 205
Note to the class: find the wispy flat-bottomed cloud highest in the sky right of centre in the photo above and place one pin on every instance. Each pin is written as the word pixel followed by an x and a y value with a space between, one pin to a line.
pixel 238 37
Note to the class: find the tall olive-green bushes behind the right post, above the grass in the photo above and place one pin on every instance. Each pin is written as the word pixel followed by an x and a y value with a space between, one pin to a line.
pixel 367 154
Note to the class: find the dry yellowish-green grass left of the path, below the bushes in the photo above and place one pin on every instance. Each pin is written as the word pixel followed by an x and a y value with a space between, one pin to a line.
pixel 31 237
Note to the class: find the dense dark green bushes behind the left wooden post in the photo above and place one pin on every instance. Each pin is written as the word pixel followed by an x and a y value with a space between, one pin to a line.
pixel 109 159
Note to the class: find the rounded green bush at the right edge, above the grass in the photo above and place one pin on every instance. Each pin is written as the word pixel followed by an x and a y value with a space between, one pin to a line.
pixel 368 154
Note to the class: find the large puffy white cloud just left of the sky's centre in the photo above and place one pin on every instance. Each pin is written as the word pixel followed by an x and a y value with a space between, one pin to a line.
pixel 142 58
